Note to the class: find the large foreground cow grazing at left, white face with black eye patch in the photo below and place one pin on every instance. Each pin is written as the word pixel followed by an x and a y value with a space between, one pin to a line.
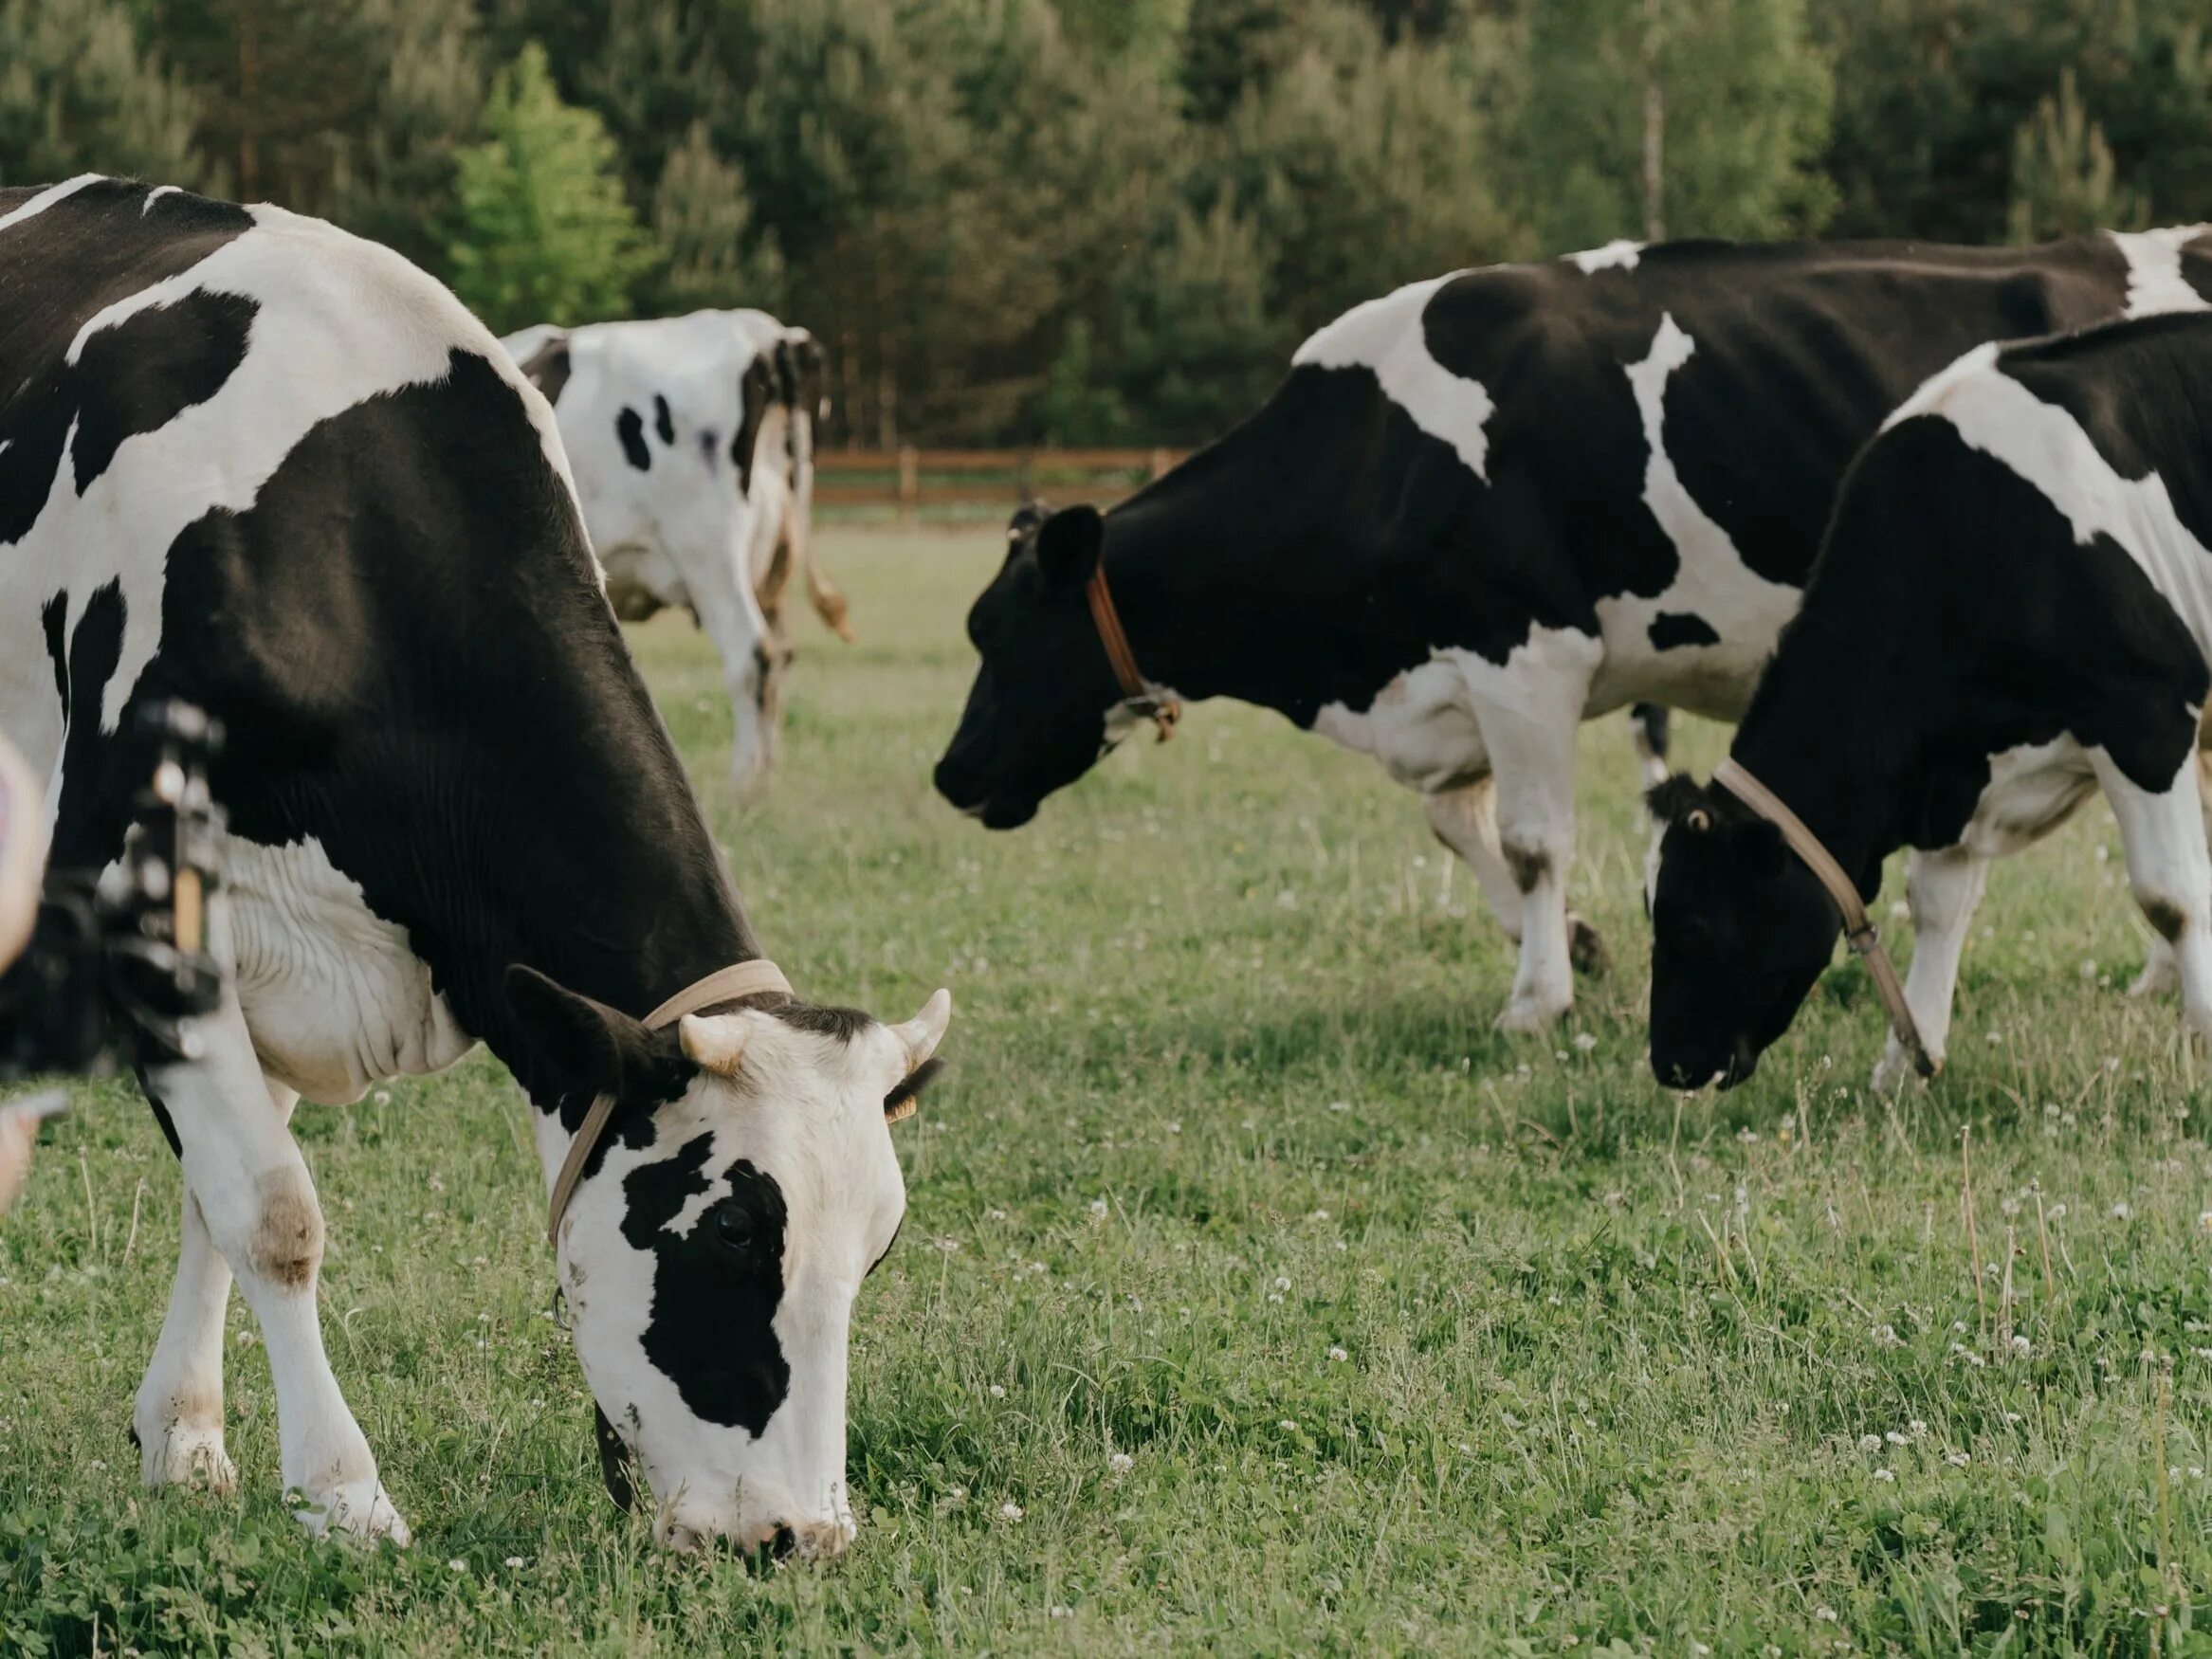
pixel 278 472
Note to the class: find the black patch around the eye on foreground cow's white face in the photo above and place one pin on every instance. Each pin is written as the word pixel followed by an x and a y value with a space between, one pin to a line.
pixel 716 1288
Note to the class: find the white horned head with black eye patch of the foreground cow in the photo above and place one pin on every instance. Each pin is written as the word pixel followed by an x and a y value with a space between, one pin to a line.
pixel 713 1251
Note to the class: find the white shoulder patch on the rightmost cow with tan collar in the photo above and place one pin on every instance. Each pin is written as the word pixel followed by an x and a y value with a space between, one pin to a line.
pixel 2052 452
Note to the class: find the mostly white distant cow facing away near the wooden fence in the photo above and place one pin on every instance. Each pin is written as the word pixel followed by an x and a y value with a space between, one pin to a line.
pixel 693 450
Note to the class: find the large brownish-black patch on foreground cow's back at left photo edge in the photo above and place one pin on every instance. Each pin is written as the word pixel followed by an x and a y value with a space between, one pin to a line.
pixel 61 269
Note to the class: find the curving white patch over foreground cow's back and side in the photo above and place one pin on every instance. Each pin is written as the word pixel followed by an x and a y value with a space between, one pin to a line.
pixel 340 322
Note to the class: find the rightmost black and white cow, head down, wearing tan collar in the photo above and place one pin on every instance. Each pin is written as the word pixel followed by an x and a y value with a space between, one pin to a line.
pixel 2014 609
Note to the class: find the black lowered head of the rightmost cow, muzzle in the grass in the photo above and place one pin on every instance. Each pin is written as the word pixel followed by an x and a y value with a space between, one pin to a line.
pixel 1740 935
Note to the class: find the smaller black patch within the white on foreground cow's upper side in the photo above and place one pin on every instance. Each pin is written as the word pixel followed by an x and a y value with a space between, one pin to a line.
pixel 152 368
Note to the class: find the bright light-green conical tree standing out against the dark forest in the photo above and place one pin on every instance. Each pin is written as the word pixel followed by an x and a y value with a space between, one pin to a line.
pixel 543 231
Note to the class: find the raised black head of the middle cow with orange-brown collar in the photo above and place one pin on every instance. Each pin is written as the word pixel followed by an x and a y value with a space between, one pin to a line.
pixel 1045 702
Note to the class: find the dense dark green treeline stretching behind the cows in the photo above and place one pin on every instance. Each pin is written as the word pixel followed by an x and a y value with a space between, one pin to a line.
pixel 1103 220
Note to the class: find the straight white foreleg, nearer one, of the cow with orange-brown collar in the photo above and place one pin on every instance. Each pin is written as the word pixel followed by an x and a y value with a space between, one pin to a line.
pixel 1530 713
